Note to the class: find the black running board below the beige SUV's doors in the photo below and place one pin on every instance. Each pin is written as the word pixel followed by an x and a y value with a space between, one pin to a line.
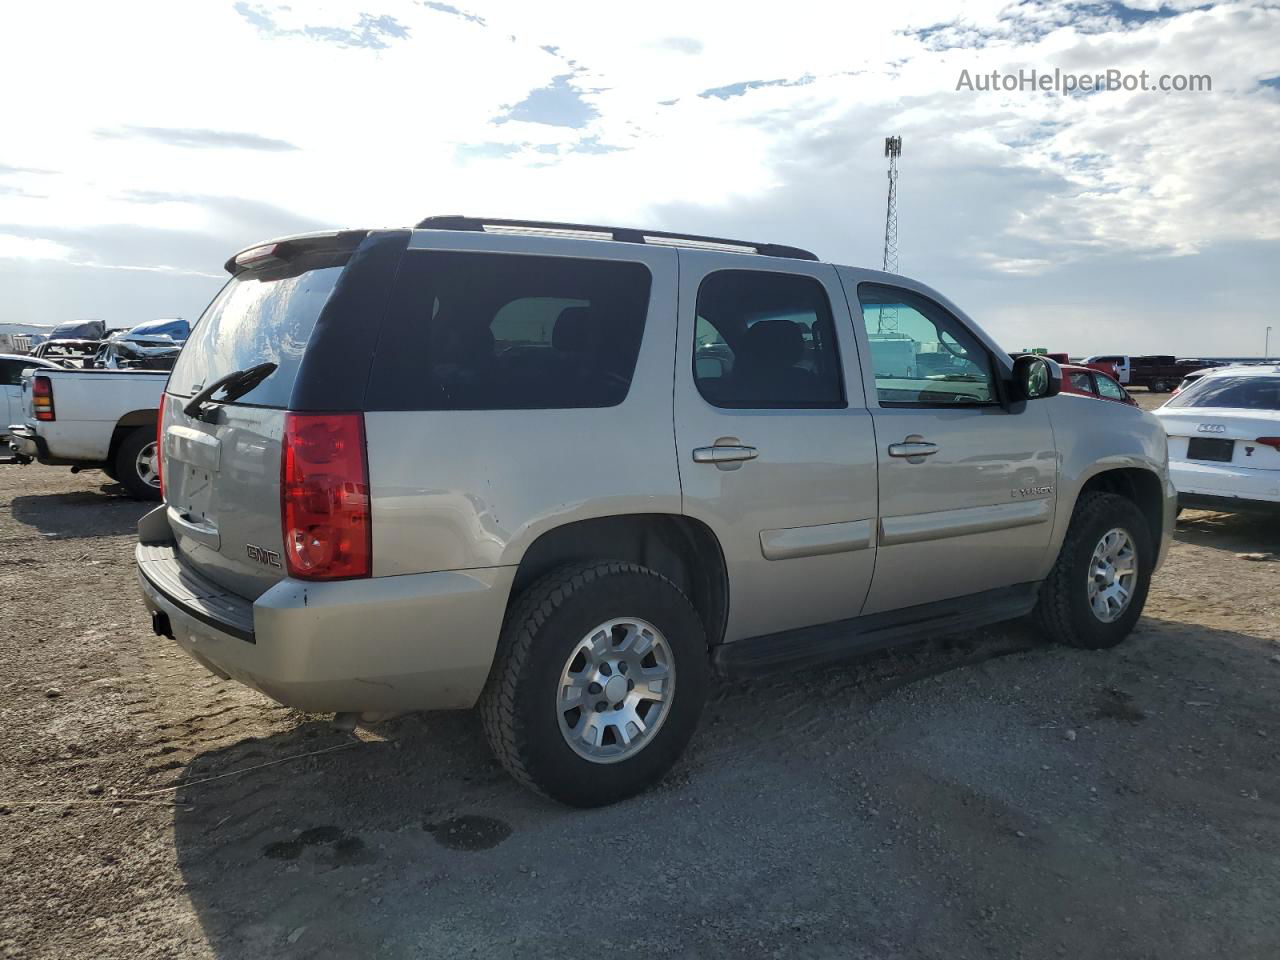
pixel 824 643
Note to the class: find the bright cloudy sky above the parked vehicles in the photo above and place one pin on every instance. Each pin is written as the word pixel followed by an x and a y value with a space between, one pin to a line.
pixel 145 143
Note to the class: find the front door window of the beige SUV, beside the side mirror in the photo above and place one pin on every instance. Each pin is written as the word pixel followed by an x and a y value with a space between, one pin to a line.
pixel 922 355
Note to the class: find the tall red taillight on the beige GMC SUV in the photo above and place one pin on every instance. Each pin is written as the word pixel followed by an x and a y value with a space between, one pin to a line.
pixel 324 497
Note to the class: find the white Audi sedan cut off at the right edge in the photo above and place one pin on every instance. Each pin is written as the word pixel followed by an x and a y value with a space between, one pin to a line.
pixel 1224 440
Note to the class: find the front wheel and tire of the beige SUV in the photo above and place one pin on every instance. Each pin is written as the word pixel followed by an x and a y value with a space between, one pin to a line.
pixel 1099 586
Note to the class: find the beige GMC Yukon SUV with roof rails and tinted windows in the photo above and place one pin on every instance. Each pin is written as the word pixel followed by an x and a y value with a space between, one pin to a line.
pixel 569 473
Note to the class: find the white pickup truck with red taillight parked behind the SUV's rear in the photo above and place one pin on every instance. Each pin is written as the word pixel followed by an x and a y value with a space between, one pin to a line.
pixel 94 419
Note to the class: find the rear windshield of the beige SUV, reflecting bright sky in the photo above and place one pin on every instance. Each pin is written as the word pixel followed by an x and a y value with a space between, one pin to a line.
pixel 260 317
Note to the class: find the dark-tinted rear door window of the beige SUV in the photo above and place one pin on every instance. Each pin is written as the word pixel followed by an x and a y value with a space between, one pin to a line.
pixel 766 341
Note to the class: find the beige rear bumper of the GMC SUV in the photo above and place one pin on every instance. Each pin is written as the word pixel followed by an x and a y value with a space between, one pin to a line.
pixel 387 644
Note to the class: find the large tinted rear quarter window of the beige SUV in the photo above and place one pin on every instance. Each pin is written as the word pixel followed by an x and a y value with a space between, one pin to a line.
pixel 504 332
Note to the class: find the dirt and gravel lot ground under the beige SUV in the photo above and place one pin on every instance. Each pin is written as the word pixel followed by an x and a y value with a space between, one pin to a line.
pixel 975 797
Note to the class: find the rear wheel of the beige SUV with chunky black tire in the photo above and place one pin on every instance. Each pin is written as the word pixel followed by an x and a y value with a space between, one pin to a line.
pixel 601 676
